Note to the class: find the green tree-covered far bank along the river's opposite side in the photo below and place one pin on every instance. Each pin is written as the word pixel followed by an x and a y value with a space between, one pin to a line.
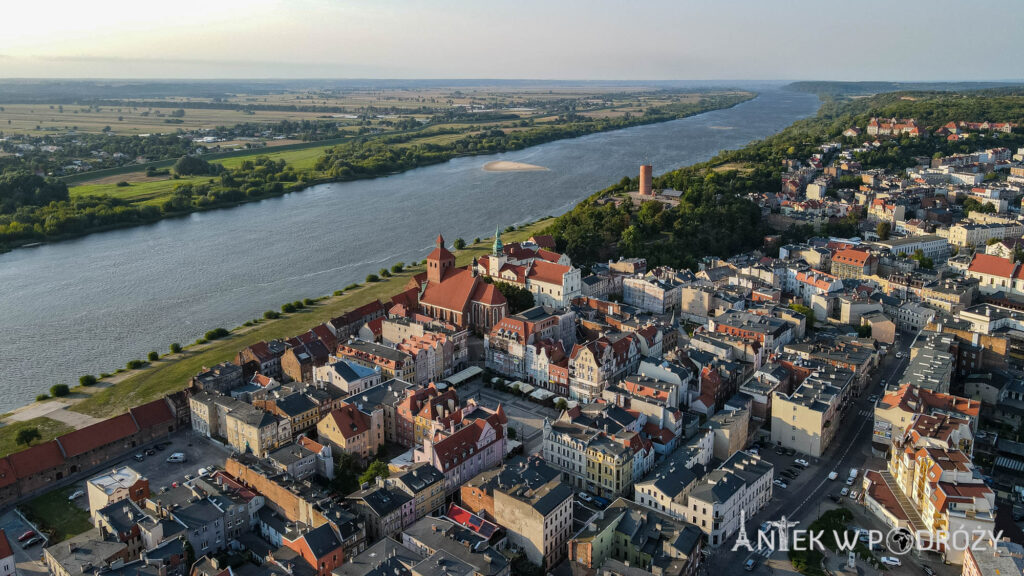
pixel 75 221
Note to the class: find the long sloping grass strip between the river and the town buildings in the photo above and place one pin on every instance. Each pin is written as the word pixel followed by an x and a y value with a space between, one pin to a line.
pixel 169 376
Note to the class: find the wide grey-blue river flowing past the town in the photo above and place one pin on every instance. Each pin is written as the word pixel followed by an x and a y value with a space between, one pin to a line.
pixel 88 306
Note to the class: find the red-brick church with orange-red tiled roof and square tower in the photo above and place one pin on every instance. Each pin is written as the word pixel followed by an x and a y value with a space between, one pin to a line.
pixel 456 295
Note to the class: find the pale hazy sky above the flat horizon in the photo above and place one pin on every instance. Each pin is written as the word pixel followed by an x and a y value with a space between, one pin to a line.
pixel 899 40
